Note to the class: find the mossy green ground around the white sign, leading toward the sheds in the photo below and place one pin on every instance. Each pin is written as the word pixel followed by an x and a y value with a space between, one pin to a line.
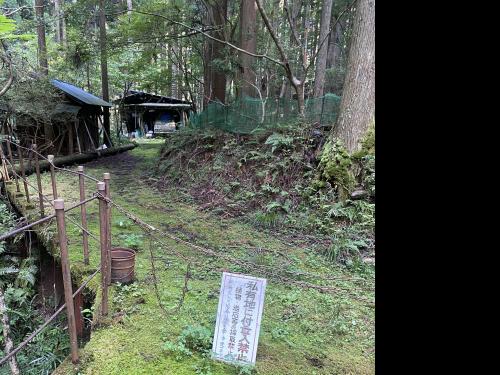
pixel 303 331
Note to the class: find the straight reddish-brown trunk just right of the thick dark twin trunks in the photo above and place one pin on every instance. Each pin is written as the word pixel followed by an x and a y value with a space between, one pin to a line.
pixel 248 42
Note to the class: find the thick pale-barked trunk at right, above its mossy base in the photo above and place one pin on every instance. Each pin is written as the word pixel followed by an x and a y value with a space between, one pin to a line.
pixel 357 108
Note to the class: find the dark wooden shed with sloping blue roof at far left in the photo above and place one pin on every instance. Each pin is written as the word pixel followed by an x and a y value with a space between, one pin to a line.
pixel 61 120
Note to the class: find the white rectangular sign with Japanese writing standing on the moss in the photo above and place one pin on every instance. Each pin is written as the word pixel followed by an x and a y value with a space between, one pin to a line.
pixel 239 315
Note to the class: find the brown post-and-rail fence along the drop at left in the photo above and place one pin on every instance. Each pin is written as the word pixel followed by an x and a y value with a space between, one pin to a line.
pixel 101 194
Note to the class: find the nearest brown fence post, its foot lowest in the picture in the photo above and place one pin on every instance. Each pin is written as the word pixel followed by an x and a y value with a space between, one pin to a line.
pixel 68 290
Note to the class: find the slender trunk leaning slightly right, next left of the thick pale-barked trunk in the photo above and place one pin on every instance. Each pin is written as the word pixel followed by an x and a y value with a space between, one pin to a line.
pixel 319 78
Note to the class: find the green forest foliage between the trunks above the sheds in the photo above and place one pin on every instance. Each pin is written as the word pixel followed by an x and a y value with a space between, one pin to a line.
pixel 159 46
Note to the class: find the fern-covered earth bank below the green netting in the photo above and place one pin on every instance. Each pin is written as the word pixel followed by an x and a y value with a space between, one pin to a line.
pixel 271 180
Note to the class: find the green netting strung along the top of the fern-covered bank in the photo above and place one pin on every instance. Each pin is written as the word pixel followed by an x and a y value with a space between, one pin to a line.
pixel 247 115
